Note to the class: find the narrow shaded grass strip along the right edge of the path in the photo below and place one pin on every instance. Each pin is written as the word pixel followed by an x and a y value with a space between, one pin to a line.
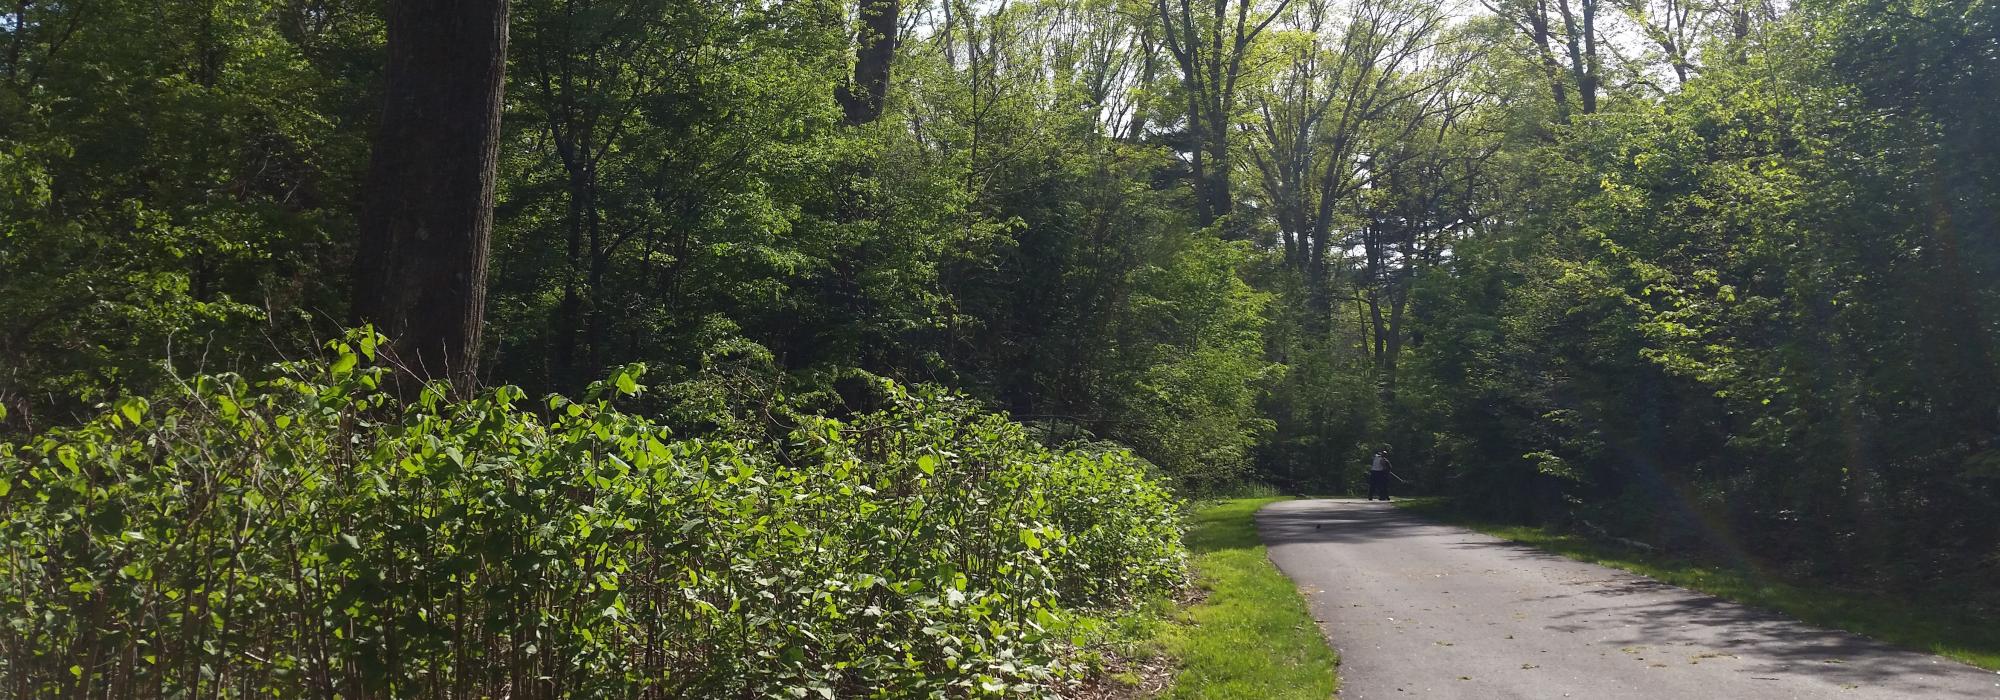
pixel 1925 623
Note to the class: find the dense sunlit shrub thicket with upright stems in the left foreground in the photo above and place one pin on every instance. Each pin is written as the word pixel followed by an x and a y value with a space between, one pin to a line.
pixel 311 535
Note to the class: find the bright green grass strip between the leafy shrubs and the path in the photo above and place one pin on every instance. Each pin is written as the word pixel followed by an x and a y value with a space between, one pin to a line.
pixel 1251 637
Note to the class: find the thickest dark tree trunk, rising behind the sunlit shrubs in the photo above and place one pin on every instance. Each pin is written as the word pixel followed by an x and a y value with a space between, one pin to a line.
pixel 427 219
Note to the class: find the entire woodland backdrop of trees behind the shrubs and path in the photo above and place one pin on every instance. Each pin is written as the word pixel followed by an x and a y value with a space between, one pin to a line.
pixel 1711 273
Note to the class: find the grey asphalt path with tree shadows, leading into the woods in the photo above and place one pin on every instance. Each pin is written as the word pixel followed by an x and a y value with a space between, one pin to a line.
pixel 1431 611
